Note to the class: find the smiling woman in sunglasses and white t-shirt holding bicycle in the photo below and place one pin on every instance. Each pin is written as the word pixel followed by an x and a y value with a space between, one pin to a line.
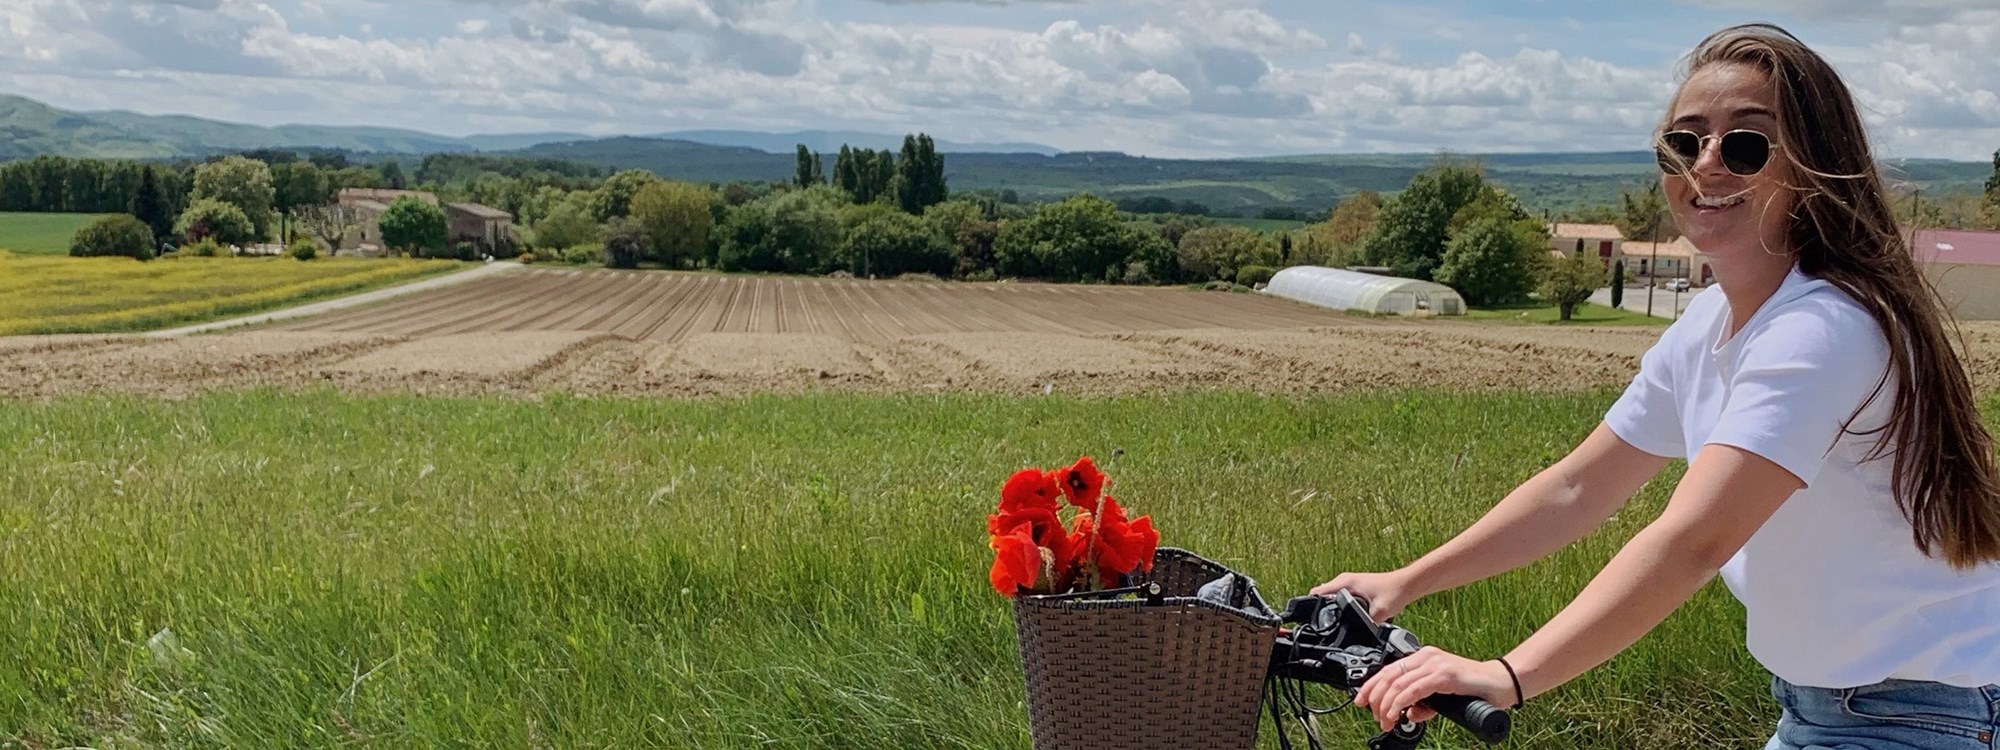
pixel 1853 513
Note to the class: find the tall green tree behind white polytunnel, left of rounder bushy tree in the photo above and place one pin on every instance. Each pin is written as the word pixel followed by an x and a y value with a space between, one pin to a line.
pixel 1413 229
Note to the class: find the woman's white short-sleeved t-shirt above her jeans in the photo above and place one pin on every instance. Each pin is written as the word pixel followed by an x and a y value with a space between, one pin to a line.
pixel 1835 591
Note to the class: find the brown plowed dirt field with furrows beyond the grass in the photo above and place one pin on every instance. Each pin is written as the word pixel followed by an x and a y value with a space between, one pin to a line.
pixel 697 335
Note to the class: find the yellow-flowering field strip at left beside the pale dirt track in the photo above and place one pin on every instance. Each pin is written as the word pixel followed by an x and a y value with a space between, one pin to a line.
pixel 121 295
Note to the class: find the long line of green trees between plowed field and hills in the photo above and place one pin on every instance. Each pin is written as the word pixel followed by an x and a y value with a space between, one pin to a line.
pixel 875 213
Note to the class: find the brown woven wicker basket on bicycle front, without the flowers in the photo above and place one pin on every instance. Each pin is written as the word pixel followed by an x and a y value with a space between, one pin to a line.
pixel 1129 675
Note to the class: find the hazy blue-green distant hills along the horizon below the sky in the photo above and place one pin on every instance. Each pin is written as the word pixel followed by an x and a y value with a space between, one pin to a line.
pixel 1309 183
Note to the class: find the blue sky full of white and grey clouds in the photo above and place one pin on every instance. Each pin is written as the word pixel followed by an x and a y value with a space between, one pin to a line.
pixel 1145 77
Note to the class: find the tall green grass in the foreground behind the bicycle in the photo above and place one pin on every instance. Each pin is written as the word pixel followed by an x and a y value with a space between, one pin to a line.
pixel 799 573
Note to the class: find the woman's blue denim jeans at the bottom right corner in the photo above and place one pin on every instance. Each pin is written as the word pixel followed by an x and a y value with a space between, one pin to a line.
pixel 1895 715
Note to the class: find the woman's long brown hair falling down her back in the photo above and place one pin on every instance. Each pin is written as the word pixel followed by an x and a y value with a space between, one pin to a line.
pixel 1847 235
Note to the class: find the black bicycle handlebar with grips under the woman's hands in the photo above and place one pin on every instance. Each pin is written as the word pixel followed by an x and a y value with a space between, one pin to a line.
pixel 1341 647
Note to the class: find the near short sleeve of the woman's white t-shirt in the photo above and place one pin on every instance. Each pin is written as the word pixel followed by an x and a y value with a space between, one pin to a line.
pixel 1797 383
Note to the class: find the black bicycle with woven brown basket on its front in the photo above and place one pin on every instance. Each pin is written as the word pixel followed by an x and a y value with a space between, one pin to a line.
pixel 1191 657
